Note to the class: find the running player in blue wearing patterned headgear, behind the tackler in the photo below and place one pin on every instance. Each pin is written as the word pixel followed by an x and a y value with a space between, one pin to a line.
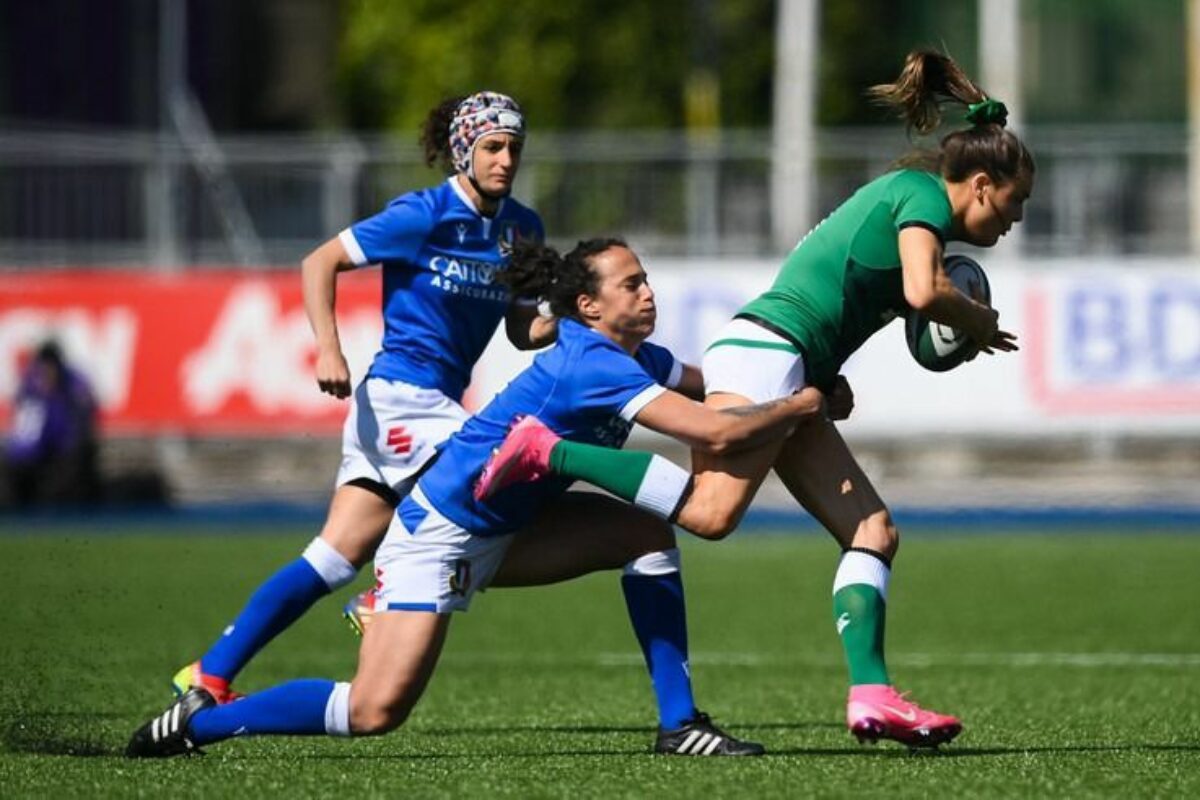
pixel 441 250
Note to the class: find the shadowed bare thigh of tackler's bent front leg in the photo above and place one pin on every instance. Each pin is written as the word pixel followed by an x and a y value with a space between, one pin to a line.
pixel 579 534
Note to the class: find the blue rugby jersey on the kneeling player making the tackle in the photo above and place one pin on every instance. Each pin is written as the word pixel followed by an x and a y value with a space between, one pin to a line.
pixel 585 389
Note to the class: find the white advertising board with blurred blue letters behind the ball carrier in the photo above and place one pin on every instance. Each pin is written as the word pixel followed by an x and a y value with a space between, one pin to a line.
pixel 1107 346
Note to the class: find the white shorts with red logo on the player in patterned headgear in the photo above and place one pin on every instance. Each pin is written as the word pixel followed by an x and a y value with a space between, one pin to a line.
pixel 393 430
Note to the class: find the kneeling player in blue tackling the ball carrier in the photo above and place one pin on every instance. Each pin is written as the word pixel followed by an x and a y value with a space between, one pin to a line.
pixel 443 545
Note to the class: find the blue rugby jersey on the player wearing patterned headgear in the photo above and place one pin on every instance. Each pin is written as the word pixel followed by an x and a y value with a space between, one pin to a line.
pixel 441 302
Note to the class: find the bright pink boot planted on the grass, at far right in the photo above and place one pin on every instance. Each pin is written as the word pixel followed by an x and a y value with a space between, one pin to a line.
pixel 878 712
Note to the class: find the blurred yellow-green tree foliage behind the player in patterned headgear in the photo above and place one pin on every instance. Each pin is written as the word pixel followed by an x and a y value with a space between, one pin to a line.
pixel 572 63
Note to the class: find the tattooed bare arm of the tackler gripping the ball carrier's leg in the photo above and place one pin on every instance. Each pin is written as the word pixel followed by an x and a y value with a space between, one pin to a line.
pixel 733 430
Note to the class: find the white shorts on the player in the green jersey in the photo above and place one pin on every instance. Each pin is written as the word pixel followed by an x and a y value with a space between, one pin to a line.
pixel 748 360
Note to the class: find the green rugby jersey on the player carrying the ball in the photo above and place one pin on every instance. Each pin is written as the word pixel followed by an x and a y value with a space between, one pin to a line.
pixel 843 282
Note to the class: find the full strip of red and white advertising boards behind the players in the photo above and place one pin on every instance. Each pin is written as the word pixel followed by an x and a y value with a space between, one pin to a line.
pixel 1106 347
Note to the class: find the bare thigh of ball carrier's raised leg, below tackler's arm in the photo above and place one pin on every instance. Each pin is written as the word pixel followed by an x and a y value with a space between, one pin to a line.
pixel 724 486
